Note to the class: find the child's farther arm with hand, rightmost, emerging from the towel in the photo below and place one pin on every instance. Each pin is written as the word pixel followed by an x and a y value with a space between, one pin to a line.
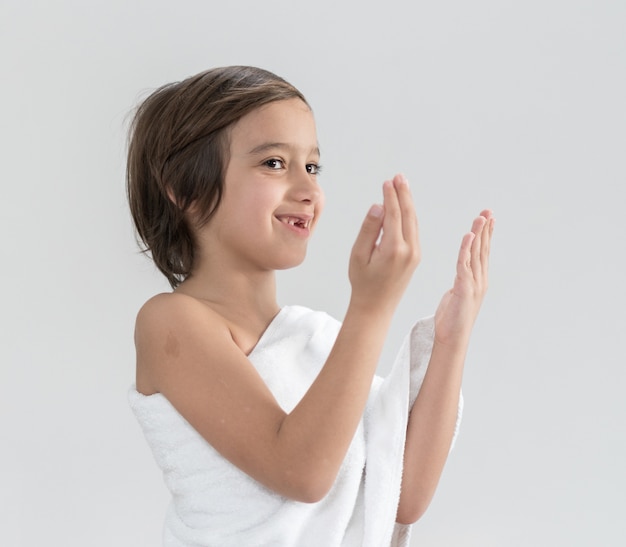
pixel 433 416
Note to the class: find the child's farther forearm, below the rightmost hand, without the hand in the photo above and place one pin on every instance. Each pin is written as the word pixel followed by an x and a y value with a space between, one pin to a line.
pixel 430 431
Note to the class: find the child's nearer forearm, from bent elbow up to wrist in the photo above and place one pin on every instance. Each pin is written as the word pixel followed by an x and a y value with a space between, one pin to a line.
pixel 319 430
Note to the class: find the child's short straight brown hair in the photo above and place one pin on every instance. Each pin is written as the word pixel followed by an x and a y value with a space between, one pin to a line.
pixel 178 151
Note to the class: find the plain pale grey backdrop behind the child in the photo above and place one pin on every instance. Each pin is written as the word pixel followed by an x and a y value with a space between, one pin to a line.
pixel 516 106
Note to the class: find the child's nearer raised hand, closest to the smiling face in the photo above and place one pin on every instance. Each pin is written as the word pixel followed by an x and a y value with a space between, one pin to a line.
pixel 379 272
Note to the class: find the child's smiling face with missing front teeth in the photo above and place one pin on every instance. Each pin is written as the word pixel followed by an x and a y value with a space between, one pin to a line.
pixel 271 200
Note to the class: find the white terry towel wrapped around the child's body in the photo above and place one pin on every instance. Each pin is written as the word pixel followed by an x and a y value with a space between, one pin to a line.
pixel 214 504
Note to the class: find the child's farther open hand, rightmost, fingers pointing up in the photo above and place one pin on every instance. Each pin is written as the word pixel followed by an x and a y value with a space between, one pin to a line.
pixel 459 307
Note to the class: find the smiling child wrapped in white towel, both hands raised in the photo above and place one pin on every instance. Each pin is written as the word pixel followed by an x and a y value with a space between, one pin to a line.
pixel 269 423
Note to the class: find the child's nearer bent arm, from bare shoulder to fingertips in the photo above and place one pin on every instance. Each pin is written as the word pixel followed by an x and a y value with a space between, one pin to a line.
pixel 186 352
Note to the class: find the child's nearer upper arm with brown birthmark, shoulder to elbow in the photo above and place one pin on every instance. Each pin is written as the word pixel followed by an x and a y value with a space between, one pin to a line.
pixel 186 352
